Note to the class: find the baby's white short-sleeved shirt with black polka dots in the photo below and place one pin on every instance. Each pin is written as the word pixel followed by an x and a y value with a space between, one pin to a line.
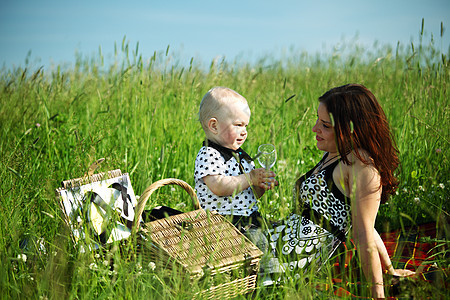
pixel 212 160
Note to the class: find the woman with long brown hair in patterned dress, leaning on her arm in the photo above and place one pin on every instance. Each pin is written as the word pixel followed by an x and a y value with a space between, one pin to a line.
pixel 344 190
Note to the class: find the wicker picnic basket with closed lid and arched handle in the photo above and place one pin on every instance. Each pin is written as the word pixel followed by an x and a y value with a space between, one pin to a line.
pixel 203 245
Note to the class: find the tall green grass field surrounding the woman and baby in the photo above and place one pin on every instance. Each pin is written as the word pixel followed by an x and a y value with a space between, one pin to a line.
pixel 140 114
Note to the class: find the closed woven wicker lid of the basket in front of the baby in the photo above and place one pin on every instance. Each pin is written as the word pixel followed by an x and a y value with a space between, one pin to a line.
pixel 198 239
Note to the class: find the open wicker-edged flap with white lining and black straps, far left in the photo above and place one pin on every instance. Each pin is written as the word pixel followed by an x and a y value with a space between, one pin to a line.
pixel 99 206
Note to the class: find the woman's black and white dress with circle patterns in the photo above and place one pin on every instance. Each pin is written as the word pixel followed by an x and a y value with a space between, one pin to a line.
pixel 313 235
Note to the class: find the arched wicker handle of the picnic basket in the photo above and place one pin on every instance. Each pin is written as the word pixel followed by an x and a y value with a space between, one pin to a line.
pixel 160 183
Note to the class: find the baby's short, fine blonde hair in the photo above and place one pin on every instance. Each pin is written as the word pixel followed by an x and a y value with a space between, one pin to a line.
pixel 213 102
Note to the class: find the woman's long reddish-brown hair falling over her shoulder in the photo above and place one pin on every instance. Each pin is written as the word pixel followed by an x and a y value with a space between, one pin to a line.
pixel 360 123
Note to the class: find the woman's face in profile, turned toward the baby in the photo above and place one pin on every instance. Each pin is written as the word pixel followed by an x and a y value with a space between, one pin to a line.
pixel 326 140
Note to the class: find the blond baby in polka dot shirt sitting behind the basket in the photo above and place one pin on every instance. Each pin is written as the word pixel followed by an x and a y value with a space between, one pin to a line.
pixel 225 176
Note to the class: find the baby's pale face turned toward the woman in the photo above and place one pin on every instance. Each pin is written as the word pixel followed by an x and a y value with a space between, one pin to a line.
pixel 232 125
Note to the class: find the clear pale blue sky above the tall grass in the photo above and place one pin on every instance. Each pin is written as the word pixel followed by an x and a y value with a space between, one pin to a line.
pixel 55 30
